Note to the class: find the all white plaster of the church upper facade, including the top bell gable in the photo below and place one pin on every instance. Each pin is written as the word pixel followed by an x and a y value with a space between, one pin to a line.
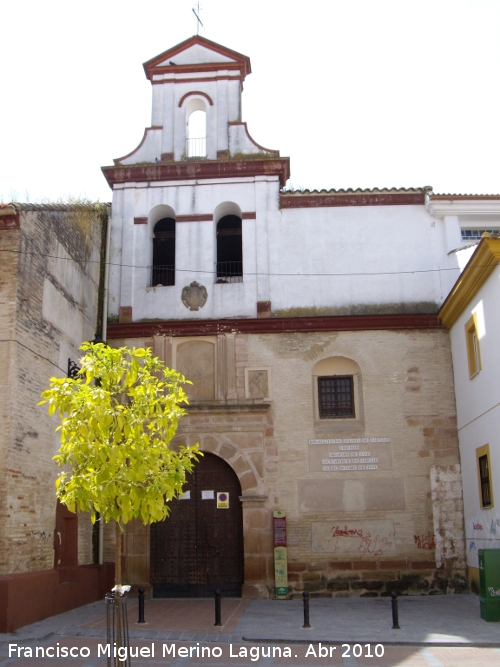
pixel 305 261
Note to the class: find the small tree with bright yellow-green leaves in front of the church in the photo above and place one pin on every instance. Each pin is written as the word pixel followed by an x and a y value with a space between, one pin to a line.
pixel 118 417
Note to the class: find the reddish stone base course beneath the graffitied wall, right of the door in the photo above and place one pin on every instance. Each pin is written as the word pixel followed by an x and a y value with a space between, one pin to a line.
pixel 375 578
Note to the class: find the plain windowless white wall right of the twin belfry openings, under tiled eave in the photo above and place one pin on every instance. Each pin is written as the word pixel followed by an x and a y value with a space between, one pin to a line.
pixel 334 257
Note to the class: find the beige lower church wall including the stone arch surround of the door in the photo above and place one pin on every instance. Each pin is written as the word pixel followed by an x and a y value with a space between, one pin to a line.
pixel 352 532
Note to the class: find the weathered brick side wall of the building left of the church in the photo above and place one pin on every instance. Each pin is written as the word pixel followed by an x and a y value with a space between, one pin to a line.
pixel 56 290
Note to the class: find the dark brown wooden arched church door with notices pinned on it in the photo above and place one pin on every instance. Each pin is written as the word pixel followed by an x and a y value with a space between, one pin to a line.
pixel 199 547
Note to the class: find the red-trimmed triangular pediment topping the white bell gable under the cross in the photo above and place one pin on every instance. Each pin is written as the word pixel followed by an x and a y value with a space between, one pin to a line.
pixel 197 54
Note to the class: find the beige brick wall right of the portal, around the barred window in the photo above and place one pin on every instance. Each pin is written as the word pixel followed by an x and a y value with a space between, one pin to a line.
pixel 369 532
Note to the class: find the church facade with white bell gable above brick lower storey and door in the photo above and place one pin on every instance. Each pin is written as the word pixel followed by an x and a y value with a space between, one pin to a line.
pixel 307 321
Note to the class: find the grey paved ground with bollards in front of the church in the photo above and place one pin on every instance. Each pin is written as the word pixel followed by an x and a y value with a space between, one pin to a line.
pixel 441 631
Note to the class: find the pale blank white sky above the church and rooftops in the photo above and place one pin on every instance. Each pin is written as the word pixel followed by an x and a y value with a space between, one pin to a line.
pixel 358 93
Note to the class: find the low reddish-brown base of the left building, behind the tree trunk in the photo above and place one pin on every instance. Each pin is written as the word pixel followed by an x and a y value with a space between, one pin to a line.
pixel 32 596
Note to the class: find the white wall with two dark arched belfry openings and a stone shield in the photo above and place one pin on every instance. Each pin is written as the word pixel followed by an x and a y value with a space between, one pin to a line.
pixel 195 248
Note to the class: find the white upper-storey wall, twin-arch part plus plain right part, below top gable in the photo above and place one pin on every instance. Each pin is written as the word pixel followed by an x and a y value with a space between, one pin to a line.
pixel 324 260
